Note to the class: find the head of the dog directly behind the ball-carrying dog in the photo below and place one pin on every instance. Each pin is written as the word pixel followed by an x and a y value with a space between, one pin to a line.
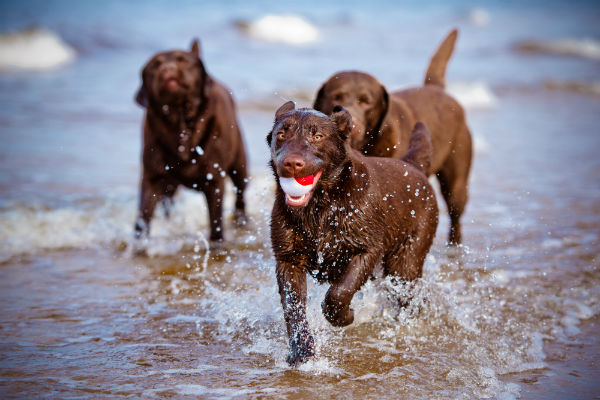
pixel 362 95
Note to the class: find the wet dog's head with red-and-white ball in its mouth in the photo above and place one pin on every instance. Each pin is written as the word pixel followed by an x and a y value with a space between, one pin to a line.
pixel 307 150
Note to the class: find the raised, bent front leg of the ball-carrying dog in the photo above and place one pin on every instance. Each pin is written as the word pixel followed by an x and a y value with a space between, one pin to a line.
pixel 336 305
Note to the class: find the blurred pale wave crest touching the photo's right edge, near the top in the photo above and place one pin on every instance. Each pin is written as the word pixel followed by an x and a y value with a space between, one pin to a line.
pixel 572 47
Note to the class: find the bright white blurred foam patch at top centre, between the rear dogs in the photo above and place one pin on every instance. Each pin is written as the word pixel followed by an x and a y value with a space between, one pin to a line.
pixel 289 29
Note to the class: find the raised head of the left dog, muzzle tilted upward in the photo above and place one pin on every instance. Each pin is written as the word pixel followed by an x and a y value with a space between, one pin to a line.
pixel 172 78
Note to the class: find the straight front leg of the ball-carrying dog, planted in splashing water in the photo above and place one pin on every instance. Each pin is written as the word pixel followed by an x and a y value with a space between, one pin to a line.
pixel 292 289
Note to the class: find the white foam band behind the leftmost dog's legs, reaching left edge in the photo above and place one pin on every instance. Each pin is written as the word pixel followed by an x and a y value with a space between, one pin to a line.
pixel 96 223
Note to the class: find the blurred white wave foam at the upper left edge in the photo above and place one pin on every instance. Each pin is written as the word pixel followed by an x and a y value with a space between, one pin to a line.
pixel 34 49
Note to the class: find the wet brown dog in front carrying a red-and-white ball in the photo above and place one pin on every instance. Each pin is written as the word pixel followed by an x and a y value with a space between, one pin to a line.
pixel 338 214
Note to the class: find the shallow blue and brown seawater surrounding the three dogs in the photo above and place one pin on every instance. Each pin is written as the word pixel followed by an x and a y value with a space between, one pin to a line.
pixel 87 312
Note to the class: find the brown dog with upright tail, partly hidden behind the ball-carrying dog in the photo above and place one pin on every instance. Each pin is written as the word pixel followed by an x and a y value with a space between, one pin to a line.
pixel 382 124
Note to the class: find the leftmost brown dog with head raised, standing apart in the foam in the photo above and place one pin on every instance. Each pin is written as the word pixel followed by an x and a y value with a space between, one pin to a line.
pixel 191 138
